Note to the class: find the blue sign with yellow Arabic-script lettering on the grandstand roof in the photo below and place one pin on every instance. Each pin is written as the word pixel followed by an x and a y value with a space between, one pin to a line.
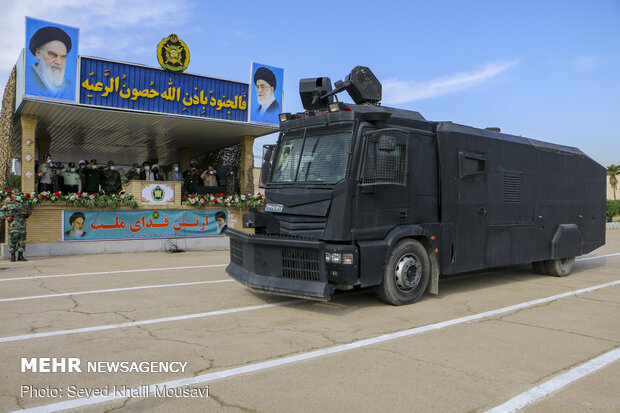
pixel 119 85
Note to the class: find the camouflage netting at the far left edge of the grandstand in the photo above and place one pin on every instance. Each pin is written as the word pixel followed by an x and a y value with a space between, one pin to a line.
pixel 7 124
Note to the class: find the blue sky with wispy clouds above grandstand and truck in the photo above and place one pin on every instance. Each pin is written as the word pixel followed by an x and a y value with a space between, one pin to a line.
pixel 547 70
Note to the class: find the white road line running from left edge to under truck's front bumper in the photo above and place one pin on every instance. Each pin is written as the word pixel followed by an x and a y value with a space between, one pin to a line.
pixel 146 322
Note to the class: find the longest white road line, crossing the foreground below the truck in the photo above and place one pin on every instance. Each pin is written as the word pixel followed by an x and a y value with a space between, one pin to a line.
pixel 250 368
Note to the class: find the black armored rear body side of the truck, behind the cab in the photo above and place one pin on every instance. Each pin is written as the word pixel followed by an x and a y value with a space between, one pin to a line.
pixel 506 197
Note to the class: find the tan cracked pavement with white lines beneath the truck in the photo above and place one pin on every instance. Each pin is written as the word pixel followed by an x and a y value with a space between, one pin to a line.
pixel 502 339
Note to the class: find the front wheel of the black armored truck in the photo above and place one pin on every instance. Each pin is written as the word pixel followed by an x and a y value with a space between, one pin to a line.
pixel 406 274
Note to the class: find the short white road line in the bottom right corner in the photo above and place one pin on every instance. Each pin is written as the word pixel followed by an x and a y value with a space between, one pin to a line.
pixel 557 383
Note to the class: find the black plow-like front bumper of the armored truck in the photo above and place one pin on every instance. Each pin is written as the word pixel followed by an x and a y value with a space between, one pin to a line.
pixel 279 265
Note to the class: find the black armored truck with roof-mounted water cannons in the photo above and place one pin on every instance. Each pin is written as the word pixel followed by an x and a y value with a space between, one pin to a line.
pixel 360 195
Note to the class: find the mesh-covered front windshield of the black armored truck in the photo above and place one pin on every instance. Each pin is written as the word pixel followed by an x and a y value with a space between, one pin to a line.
pixel 313 155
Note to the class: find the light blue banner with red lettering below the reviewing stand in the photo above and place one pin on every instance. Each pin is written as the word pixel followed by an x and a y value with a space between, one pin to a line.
pixel 89 225
